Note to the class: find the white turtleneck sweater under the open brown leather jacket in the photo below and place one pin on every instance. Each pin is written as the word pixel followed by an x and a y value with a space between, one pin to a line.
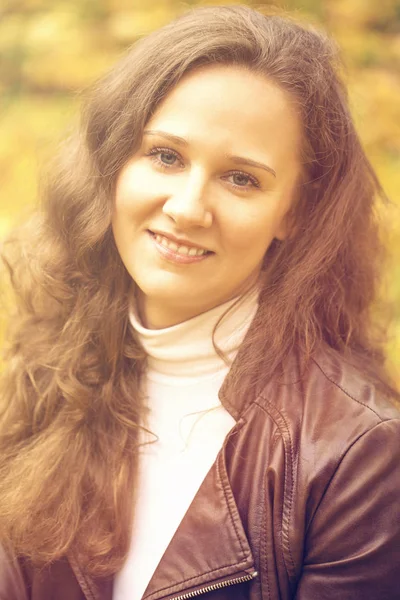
pixel 183 378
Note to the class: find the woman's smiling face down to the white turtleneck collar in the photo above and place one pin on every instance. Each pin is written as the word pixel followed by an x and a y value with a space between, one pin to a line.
pixel 217 171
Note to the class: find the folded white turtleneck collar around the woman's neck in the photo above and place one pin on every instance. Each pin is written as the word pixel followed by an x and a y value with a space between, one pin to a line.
pixel 186 349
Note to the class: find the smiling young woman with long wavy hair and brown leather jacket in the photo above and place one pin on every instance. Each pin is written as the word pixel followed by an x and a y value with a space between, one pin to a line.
pixel 195 401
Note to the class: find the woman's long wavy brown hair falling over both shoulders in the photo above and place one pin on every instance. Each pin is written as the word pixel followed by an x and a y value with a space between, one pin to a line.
pixel 71 404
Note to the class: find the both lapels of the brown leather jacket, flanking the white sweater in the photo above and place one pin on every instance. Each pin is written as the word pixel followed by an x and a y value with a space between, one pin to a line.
pixel 209 548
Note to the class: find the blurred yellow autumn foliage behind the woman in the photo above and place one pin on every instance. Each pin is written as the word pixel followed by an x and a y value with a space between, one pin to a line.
pixel 51 50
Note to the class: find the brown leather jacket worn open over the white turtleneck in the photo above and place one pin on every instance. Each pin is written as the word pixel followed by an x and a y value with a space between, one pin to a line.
pixel 303 502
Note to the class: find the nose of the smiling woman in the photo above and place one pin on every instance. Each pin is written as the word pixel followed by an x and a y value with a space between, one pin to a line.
pixel 186 205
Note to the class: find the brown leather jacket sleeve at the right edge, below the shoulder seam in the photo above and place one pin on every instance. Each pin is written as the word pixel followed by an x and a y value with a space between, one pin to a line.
pixel 352 548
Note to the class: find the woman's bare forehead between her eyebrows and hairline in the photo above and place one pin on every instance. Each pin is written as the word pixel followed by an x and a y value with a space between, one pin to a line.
pixel 233 107
